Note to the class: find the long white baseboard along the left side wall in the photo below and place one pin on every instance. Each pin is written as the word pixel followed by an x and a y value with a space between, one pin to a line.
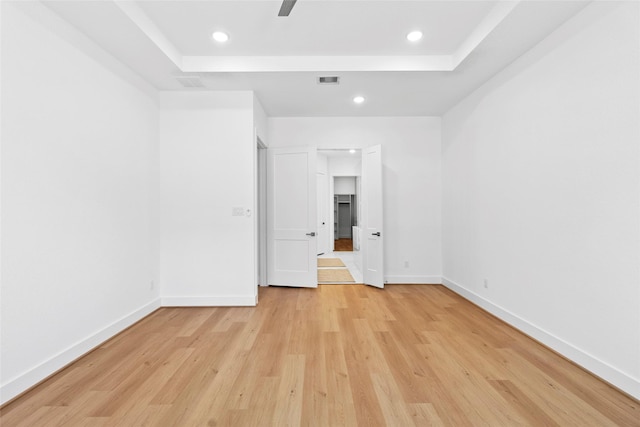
pixel 23 382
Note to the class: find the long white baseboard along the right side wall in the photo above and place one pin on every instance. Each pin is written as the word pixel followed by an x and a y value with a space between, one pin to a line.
pixel 599 368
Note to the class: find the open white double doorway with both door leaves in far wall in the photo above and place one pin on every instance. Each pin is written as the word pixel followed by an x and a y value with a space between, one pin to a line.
pixel 292 214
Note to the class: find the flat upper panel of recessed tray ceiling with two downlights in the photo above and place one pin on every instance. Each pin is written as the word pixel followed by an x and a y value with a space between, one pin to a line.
pixel 316 27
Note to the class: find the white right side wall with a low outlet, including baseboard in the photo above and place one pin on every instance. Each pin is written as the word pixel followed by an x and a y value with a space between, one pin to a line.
pixel 541 180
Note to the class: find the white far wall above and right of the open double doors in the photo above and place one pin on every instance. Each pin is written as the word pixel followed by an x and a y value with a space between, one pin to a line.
pixel 411 181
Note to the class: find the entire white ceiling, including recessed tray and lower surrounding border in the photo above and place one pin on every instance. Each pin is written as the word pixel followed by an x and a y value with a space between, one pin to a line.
pixel 362 41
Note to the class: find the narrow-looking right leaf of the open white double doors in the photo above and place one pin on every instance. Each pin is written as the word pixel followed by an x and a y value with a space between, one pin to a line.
pixel 372 237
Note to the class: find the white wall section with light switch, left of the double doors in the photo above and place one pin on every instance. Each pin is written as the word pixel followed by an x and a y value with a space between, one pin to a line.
pixel 207 168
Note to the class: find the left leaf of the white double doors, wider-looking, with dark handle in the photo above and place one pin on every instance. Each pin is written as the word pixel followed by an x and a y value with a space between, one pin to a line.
pixel 291 219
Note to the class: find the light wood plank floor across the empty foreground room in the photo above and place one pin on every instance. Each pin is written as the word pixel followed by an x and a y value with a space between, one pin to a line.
pixel 337 355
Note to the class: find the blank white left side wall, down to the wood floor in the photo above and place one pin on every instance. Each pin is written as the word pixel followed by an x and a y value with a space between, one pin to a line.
pixel 78 151
